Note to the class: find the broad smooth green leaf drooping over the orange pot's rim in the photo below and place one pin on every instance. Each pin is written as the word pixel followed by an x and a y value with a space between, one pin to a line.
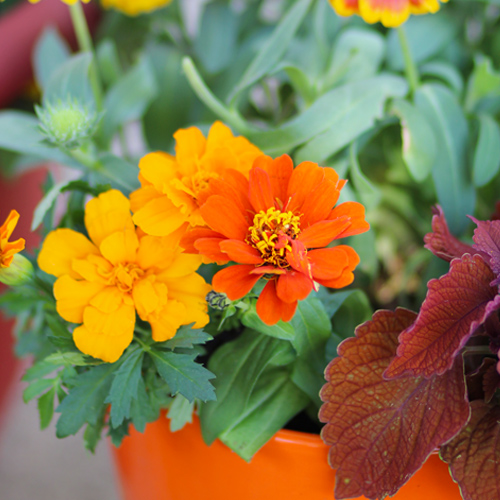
pixel 237 366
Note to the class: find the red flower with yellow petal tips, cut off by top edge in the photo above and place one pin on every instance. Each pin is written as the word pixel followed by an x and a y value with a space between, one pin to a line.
pixel 390 13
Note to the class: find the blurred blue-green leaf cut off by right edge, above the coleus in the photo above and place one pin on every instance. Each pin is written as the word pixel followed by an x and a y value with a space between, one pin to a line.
pixel 487 154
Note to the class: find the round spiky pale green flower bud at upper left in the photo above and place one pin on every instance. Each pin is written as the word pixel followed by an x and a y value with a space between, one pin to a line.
pixel 67 124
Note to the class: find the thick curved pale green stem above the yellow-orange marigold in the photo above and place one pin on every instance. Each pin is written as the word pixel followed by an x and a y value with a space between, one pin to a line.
pixel 205 95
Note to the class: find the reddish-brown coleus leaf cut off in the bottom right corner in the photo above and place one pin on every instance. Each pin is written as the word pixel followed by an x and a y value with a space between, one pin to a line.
pixel 474 454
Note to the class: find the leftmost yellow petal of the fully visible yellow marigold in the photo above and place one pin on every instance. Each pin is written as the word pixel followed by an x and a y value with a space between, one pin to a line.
pixel 60 248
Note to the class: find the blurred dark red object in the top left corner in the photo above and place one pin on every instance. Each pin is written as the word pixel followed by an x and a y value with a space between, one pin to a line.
pixel 19 31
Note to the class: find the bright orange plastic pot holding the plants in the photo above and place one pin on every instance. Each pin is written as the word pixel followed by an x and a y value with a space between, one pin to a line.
pixel 161 465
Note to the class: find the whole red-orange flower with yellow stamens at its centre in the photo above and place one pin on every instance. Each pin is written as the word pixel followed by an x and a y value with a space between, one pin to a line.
pixel 275 226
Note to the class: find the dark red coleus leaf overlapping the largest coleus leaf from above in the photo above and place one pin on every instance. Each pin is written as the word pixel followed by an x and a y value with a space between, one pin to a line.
pixel 456 304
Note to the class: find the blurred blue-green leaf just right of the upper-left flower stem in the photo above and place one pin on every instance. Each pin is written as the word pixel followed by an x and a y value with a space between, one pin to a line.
pixel 128 98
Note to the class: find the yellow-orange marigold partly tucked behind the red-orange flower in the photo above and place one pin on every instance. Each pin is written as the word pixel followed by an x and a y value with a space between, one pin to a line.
pixel 174 187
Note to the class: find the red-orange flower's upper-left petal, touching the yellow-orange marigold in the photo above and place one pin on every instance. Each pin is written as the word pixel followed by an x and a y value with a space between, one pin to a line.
pixel 223 216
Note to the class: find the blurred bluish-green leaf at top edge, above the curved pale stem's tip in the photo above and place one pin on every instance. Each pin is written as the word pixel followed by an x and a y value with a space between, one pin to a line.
pixel 215 47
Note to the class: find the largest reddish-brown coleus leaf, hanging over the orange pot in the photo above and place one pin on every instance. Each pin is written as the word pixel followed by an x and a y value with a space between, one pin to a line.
pixel 382 431
